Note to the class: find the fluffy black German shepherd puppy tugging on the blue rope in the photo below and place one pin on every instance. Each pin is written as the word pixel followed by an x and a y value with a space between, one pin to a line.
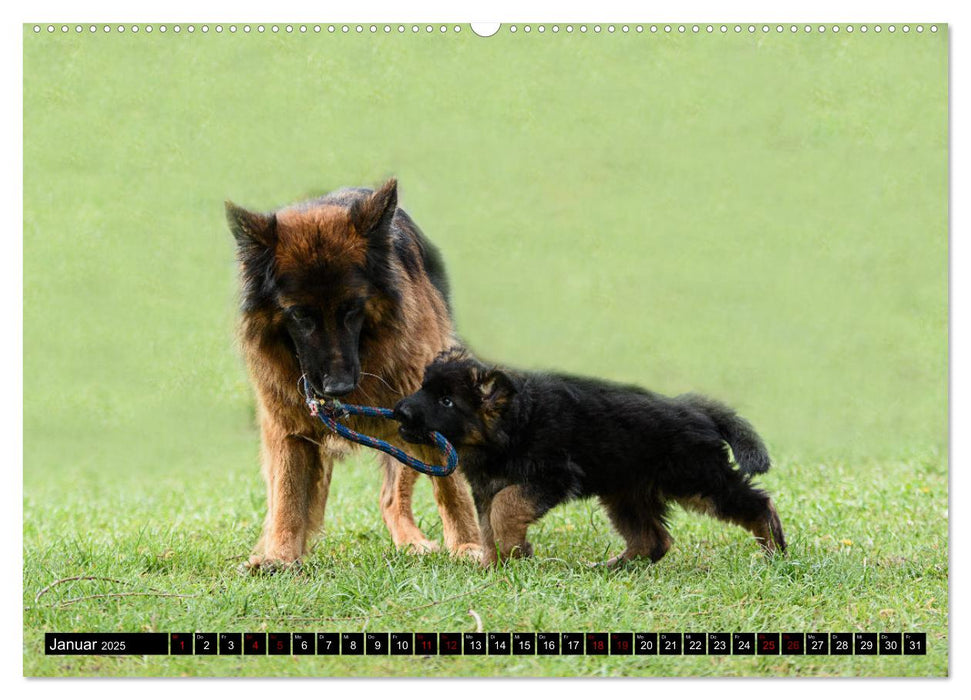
pixel 529 441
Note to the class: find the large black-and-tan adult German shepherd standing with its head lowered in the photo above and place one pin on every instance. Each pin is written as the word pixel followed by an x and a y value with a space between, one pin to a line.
pixel 346 291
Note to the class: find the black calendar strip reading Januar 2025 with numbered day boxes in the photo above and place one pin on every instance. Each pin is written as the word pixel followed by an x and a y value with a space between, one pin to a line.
pixel 486 643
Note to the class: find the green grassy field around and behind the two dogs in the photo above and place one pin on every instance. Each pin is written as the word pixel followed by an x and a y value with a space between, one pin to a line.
pixel 758 217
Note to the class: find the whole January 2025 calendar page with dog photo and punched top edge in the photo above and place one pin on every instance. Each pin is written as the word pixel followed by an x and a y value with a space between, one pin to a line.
pixel 660 309
